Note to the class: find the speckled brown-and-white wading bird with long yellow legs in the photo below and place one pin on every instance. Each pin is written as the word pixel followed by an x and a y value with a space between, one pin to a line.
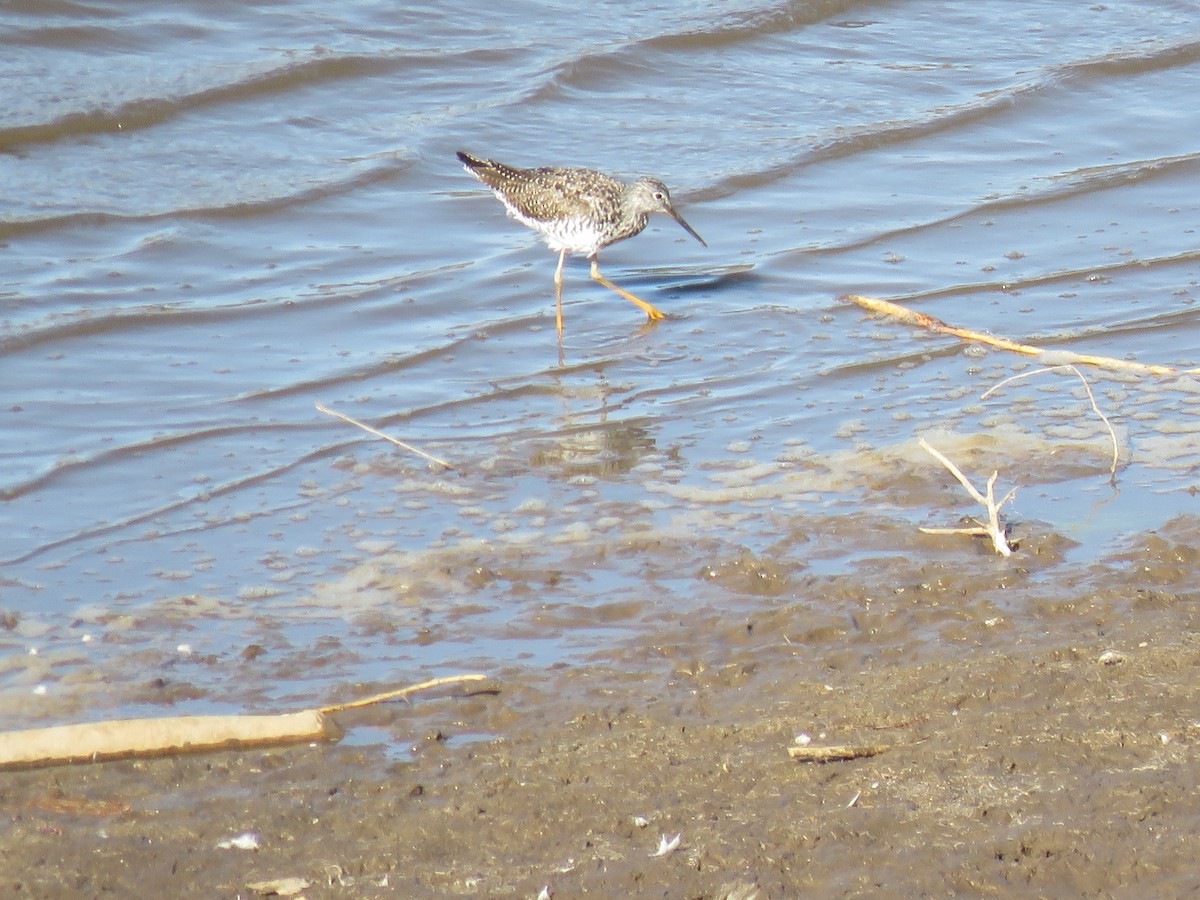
pixel 578 212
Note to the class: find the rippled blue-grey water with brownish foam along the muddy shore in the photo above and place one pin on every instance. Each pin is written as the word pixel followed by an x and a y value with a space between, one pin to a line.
pixel 219 215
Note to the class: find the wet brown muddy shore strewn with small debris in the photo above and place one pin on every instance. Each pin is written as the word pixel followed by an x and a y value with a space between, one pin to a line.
pixel 1046 748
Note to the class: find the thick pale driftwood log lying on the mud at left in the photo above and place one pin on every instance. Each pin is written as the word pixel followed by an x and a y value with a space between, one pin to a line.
pixel 127 739
